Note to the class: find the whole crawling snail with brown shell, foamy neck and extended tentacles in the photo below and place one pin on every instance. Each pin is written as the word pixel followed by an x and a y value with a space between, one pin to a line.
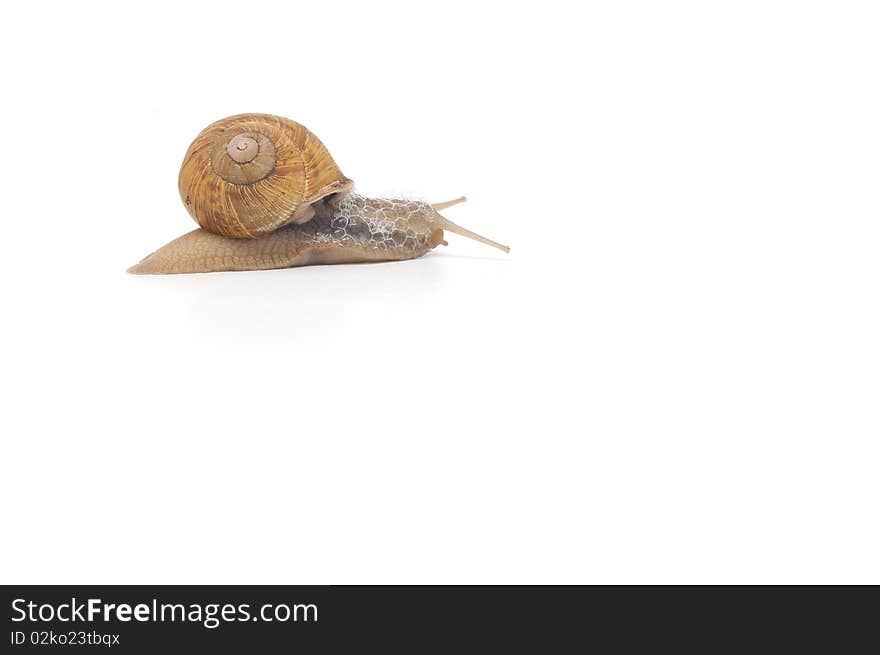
pixel 267 194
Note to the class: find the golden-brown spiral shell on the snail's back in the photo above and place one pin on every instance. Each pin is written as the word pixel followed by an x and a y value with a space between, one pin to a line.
pixel 247 175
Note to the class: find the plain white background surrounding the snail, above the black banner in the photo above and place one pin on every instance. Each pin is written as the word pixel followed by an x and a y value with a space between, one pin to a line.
pixel 673 377
